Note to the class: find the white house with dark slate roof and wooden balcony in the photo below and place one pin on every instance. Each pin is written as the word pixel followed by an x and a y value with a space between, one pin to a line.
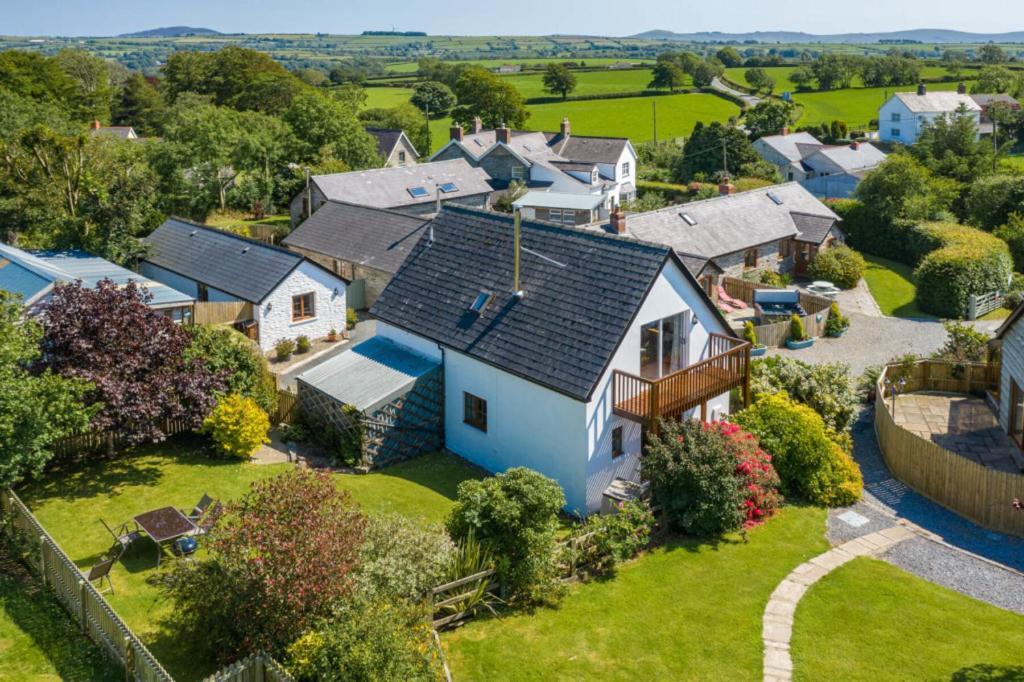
pixel 552 367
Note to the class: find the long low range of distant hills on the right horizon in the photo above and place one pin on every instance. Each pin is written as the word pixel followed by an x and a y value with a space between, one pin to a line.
pixel 917 35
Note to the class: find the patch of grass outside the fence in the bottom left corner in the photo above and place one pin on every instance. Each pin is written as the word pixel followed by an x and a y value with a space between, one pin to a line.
pixel 38 640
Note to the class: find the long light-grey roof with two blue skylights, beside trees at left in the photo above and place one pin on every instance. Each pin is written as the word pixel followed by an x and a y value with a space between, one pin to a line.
pixel 389 188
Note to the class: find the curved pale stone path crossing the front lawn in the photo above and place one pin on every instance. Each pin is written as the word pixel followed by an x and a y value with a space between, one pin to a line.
pixel 778 623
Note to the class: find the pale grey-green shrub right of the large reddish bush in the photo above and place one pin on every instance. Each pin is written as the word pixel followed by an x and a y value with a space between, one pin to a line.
pixel 402 559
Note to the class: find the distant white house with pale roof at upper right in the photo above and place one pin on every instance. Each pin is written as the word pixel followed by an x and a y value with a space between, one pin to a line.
pixel 905 116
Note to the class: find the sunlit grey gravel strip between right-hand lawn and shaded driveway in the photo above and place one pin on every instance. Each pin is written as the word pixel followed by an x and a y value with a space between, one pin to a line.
pixel 949 568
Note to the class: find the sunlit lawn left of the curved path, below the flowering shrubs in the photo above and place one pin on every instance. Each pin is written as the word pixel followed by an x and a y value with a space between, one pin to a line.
pixel 686 611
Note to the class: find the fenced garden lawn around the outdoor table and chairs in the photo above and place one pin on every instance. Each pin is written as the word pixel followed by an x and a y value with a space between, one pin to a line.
pixel 71 504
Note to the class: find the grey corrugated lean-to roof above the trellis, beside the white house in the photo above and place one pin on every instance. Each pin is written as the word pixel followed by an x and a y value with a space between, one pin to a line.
pixel 371 375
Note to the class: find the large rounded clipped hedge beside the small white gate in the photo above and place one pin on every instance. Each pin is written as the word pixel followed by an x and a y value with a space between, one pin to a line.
pixel 965 262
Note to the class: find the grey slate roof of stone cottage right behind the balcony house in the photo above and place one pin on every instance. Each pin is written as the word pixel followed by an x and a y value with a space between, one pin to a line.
pixel 728 225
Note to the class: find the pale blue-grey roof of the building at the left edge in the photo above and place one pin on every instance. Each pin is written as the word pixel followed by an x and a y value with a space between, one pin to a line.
pixel 33 275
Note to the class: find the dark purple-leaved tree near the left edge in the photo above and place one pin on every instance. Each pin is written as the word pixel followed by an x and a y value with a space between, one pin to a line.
pixel 134 357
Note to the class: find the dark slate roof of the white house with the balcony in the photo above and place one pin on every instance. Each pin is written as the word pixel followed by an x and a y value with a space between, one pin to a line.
pixel 582 291
